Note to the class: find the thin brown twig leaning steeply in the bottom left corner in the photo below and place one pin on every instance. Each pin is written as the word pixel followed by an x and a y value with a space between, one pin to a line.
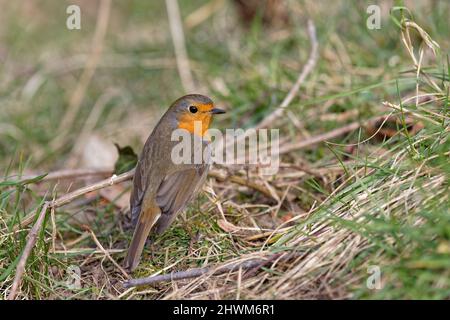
pixel 32 238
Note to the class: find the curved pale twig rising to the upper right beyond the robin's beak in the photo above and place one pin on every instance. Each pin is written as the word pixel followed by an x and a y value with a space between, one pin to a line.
pixel 307 68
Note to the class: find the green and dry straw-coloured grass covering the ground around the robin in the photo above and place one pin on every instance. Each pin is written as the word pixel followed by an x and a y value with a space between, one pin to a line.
pixel 373 200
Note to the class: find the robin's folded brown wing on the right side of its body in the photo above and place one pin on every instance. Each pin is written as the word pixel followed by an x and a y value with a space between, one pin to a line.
pixel 176 191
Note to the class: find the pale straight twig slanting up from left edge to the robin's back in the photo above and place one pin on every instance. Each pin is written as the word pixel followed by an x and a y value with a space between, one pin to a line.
pixel 77 193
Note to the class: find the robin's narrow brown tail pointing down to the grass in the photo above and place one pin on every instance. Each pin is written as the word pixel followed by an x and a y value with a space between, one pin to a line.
pixel 140 235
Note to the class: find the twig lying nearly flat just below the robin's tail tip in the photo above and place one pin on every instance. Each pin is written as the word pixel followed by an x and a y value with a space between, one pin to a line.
pixel 197 272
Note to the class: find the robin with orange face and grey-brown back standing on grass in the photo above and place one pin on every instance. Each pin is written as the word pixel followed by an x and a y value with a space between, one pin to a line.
pixel 162 188
